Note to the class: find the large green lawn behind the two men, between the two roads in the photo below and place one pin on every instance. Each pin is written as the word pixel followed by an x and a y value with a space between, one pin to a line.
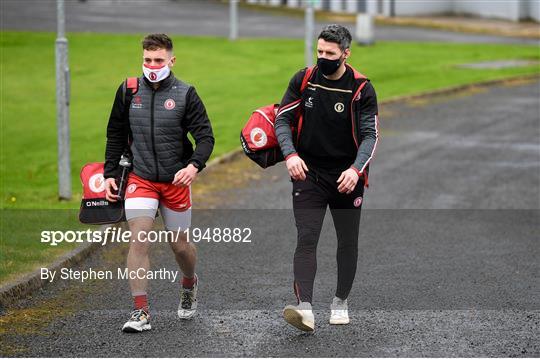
pixel 233 78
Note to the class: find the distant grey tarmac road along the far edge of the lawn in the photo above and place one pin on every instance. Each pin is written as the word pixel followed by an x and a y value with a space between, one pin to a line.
pixel 195 17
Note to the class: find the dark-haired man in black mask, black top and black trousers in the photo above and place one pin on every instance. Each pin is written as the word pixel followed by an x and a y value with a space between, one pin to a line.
pixel 336 120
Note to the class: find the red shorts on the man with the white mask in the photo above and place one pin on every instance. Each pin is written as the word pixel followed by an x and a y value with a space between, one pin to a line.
pixel 173 197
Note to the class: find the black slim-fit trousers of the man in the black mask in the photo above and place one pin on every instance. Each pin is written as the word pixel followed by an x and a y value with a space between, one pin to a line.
pixel 310 199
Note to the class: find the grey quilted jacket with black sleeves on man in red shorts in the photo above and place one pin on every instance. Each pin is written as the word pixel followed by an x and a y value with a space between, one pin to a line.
pixel 158 124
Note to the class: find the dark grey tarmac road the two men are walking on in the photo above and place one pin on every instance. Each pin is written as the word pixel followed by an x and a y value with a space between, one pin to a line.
pixel 448 259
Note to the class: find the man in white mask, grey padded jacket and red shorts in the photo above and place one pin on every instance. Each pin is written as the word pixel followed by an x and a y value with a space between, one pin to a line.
pixel 154 126
